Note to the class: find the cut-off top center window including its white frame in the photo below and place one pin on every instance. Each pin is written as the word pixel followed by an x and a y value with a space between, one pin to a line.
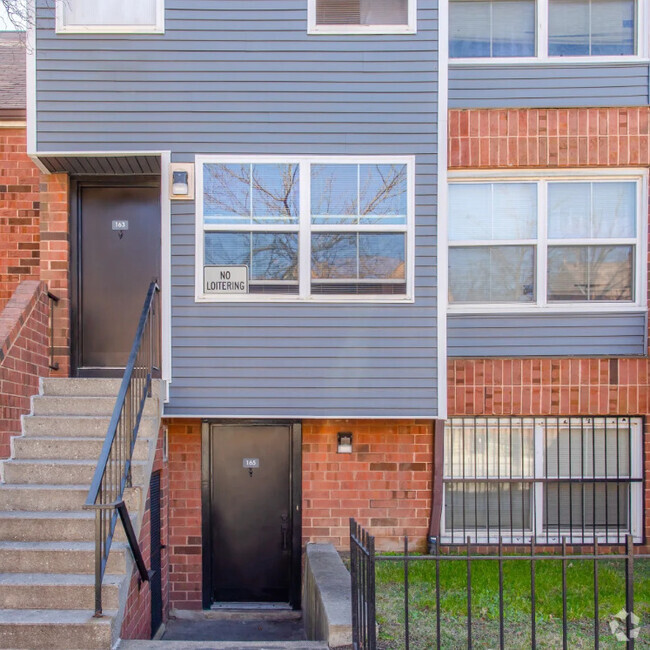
pixel 359 16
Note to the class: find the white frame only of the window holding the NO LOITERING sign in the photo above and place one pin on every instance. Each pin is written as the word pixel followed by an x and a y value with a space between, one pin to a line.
pixel 305 229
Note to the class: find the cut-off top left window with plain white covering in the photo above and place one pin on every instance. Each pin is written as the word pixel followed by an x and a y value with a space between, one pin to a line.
pixel 110 16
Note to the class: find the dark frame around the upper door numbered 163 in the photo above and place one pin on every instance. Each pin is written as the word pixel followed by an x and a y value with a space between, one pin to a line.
pixel 77 183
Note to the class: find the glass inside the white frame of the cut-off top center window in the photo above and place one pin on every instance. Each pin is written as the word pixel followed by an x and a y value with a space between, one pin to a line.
pixel 362 12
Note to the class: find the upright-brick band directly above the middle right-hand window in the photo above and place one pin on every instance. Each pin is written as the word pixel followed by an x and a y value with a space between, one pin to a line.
pixel 557 137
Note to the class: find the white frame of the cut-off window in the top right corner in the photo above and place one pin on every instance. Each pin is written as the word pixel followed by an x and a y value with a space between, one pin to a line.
pixel 642 36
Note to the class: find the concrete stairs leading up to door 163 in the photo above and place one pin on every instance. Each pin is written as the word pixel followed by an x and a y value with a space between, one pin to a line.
pixel 46 538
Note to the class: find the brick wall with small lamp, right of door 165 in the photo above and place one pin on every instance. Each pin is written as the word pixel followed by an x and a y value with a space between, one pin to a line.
pixel 385 483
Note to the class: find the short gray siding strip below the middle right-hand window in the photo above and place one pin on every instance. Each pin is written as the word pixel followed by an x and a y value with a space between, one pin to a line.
pixel 546 335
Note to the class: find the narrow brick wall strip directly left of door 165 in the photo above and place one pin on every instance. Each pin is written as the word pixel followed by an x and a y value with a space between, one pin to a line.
pixel 185 550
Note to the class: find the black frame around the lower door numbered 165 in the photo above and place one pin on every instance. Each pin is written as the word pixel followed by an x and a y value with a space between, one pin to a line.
pixel 295 496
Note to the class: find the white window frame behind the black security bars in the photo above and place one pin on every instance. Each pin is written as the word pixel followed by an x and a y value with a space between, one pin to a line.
pixel 537 497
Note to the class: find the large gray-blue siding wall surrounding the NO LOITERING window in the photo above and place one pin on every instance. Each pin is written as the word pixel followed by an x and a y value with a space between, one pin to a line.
pixel 244 77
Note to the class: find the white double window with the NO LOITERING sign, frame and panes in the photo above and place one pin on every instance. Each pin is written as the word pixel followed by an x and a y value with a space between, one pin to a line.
pixel 307 229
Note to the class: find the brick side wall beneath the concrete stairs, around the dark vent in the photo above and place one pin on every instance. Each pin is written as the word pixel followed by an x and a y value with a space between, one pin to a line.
pixel 137 617
